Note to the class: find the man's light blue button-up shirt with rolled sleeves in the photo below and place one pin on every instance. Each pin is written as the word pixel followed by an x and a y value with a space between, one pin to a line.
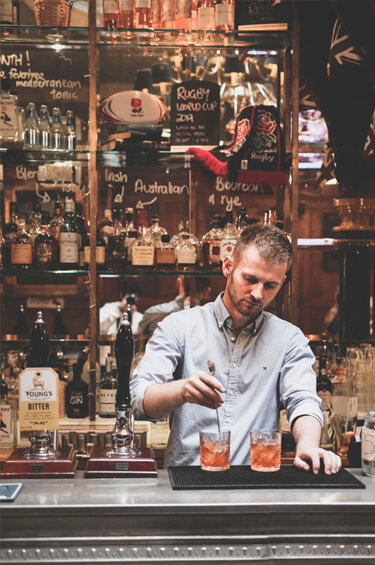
pixel 269 362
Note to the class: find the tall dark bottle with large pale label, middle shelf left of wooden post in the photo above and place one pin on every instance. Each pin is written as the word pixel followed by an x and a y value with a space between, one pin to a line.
pixel 69 239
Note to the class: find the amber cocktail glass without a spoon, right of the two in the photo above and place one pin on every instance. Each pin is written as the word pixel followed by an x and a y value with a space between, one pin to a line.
pixel 265 449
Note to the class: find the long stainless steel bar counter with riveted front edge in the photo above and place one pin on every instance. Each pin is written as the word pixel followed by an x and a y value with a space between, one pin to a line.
pixel 145 521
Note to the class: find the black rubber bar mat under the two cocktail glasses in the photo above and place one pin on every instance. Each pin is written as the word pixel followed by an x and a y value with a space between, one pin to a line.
pixel 242 477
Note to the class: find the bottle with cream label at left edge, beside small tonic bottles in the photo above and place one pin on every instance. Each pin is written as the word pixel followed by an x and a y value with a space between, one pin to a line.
pixel 9 119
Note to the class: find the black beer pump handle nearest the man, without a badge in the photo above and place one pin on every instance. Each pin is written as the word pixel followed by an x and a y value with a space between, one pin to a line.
pixel 124 353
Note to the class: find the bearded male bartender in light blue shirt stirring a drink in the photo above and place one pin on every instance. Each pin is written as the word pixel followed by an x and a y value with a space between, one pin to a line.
pixel 261 361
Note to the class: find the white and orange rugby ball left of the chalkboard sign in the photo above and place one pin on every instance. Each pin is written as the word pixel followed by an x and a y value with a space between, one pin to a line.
pixel 133 107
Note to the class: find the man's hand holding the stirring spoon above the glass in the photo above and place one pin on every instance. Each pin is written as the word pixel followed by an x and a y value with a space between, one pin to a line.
pixel 200 387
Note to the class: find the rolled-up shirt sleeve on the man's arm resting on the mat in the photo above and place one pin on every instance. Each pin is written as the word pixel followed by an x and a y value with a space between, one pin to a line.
pixel 298 380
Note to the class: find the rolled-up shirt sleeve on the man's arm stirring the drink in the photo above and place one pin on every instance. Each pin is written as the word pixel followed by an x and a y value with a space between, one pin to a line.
pixel 163 354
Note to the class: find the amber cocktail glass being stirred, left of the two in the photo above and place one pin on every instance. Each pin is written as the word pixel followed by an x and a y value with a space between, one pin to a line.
pixel 215 451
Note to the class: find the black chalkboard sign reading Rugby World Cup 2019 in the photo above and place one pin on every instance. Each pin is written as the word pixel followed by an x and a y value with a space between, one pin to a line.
pixel 195 113
